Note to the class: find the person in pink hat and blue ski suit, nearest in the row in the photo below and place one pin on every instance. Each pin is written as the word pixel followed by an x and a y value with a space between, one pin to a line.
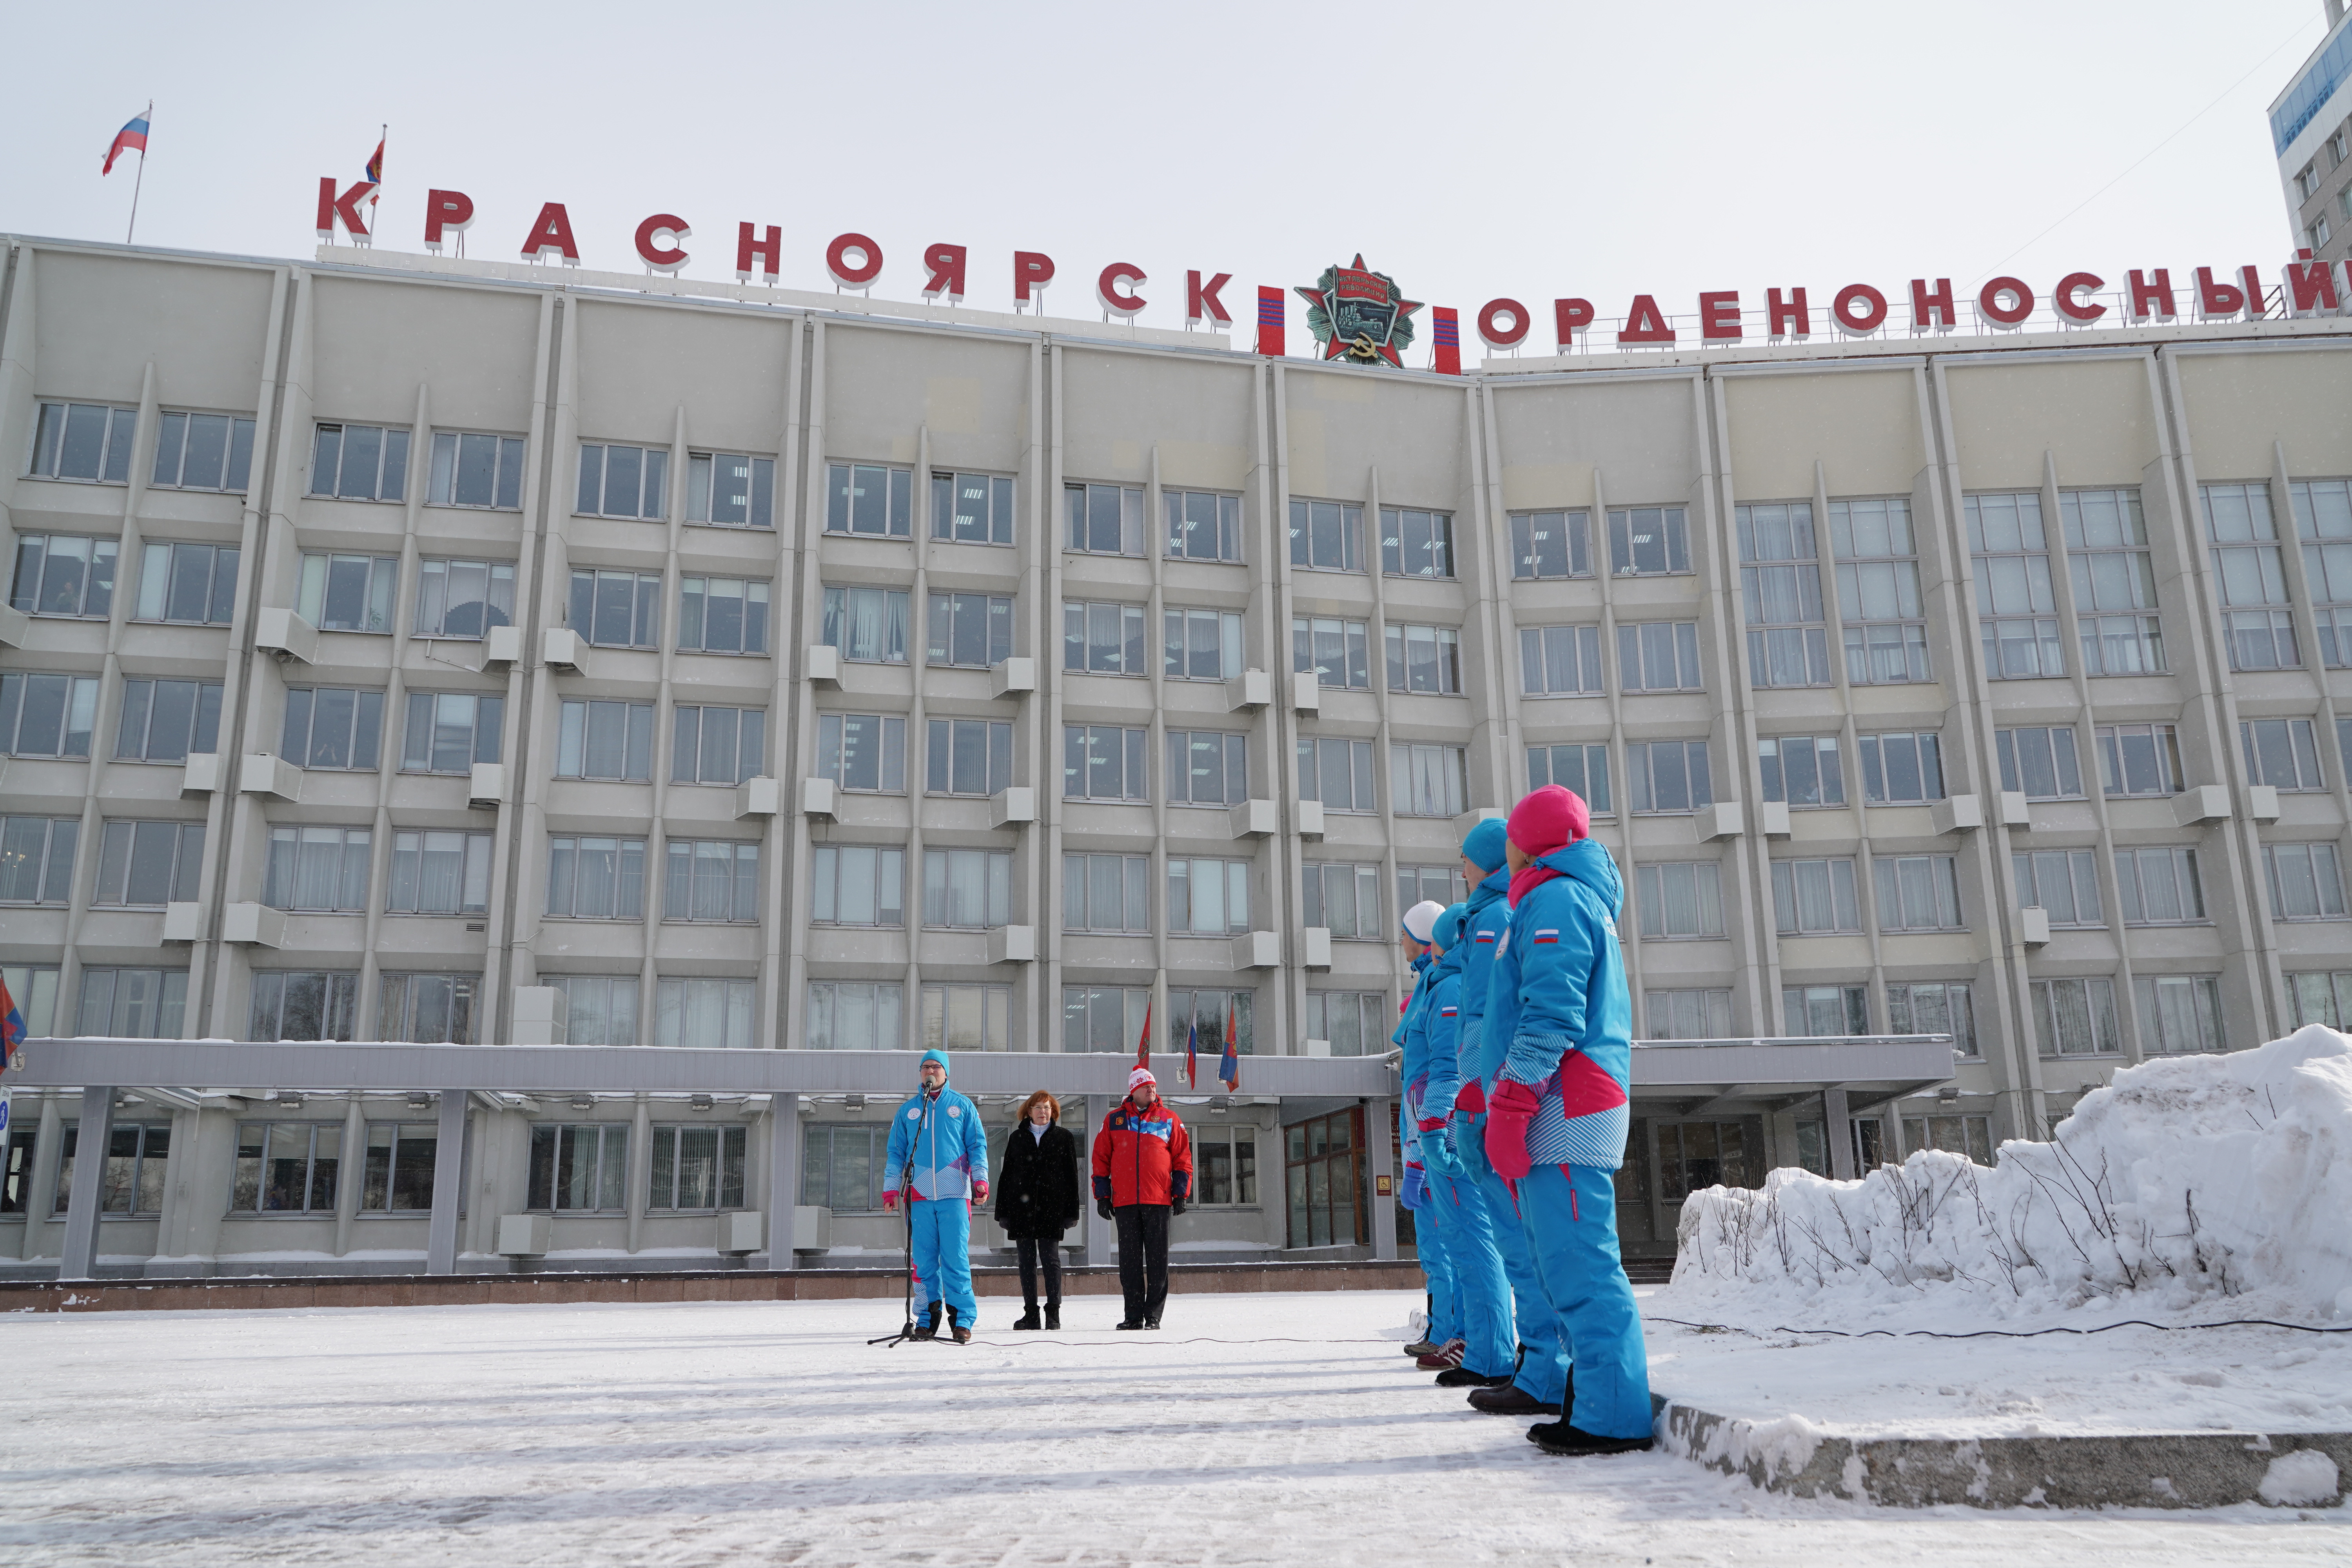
pixel 1558 1111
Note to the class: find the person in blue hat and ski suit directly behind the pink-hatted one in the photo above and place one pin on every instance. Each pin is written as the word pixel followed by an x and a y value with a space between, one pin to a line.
pixel 1542 1381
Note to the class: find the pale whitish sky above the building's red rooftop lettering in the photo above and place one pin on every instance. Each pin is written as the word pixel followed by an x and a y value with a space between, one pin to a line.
pixel 1466 149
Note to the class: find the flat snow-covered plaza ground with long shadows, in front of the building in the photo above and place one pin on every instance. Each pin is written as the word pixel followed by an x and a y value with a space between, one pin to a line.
pixel 1255 1430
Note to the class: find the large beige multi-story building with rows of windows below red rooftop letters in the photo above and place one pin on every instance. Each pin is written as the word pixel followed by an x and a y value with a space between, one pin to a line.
pixel 396 645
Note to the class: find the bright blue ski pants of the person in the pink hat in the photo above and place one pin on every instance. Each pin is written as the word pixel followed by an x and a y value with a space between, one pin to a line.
pixel 1570 1221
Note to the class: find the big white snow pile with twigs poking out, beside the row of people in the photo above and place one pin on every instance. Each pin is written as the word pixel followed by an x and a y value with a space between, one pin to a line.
pixel 2184 1181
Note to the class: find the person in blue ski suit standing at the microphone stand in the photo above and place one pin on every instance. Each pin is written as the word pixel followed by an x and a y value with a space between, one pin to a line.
pixel 940 1158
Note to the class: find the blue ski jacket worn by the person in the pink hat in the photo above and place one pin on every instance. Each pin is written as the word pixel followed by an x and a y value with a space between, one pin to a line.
pixel 1558 996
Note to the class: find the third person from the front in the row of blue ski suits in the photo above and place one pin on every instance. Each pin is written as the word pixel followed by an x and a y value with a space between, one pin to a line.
pixel 1455 1205
